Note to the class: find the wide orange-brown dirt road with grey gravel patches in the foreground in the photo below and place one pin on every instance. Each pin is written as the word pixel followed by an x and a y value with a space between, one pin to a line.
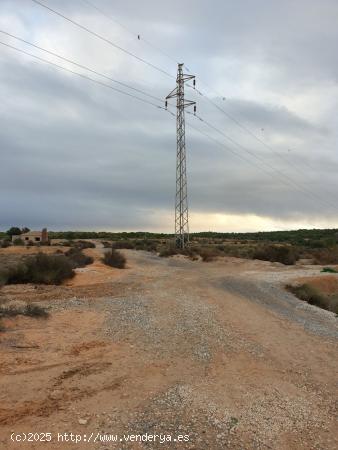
pixel 216 352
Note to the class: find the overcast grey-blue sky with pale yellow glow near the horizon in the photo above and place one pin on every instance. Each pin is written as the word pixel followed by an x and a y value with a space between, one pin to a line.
pixel 75 154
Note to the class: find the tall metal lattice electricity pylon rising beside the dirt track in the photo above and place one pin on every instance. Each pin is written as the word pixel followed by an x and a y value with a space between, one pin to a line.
pixel 181 202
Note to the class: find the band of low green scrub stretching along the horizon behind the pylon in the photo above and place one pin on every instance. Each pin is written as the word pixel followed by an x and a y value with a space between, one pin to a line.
pixel 319 246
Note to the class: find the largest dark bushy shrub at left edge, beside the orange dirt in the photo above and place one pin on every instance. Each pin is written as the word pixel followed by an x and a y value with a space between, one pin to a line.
pixel 40 269
